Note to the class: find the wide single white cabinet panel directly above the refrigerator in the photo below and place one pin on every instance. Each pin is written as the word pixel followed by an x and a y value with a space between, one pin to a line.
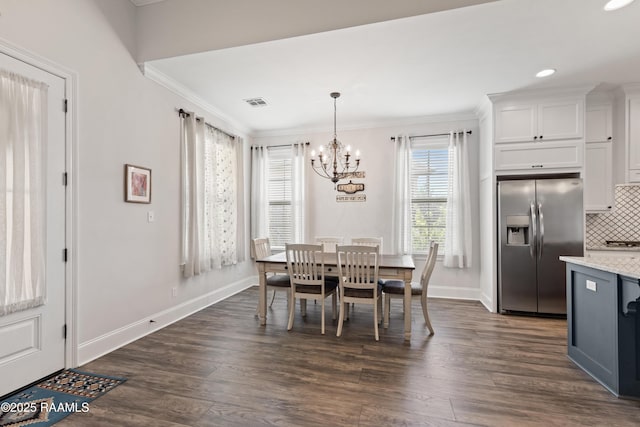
pixel 535 156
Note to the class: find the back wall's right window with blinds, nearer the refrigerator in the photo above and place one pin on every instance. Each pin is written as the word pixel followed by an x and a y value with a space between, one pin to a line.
pixel 429 184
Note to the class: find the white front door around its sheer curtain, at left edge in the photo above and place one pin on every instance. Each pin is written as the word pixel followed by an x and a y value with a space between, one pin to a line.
pixel 32 343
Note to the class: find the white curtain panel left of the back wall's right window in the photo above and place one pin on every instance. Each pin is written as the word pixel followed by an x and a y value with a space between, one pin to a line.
pixel 402 196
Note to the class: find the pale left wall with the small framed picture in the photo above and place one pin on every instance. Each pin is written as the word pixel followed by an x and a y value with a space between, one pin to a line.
pixel 126 267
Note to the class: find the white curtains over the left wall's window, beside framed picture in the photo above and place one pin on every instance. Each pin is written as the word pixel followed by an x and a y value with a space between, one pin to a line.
pixel 209 197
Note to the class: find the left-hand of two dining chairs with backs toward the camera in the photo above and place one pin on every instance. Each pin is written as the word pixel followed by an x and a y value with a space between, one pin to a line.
pixel 306 270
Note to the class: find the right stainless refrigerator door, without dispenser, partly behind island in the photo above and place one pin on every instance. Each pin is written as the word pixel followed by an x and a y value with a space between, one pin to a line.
pixel 561 229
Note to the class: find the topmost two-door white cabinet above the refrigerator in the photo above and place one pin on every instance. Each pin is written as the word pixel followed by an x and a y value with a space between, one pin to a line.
pixel 546 120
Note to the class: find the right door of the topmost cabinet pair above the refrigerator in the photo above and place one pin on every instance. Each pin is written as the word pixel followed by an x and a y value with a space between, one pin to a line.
pixel 560 120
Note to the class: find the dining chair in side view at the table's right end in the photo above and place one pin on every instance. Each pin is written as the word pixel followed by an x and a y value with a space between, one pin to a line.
pixel 395 288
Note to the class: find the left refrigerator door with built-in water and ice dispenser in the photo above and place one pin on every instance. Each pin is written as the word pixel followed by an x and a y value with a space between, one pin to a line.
pixel 517 270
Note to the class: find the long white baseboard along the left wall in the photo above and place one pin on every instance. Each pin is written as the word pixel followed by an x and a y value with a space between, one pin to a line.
pixel 106 343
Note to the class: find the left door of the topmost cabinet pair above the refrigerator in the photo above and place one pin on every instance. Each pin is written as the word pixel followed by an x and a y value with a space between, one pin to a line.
pixel 515 123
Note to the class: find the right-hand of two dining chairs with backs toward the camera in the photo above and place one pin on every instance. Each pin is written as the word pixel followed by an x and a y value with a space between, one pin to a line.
pixel 358 271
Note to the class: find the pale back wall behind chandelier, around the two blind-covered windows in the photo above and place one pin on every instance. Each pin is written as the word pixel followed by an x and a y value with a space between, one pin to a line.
pixel 374 217
